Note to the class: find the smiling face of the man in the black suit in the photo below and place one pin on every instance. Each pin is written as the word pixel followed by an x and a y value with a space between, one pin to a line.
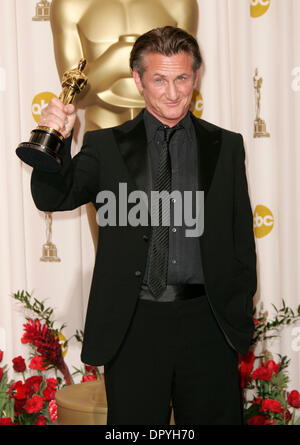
pixel 167 85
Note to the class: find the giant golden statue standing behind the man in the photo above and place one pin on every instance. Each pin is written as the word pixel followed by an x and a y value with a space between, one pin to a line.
pixel 104 32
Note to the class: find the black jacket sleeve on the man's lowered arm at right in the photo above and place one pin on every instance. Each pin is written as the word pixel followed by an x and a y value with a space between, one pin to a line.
pixel 244 242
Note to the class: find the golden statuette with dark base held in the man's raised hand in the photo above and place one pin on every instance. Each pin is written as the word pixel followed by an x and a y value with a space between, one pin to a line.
pixel 42 149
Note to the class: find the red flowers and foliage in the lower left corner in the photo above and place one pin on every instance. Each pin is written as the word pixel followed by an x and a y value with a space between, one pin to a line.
pixel 31 400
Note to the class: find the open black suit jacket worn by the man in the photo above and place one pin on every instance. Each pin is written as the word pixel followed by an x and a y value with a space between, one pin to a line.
pixel 112 156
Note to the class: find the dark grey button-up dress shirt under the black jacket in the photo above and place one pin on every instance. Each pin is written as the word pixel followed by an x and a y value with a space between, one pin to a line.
pixel 184 265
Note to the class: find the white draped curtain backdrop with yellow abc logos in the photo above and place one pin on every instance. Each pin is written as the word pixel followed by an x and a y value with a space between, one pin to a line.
pixel 234 43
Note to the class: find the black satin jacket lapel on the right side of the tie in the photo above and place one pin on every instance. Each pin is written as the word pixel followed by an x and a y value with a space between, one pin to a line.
pixel 208 144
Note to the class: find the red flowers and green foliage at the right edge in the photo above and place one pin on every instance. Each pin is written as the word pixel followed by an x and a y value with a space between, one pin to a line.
pixel 264 388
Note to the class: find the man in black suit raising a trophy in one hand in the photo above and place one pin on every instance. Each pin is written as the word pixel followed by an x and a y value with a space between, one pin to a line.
pixel 168 313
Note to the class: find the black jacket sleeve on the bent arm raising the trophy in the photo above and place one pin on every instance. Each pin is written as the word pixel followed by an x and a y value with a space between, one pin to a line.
pixel 74 185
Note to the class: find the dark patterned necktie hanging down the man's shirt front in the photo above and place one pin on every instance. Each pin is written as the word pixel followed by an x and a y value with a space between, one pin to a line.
pixel 159 246
